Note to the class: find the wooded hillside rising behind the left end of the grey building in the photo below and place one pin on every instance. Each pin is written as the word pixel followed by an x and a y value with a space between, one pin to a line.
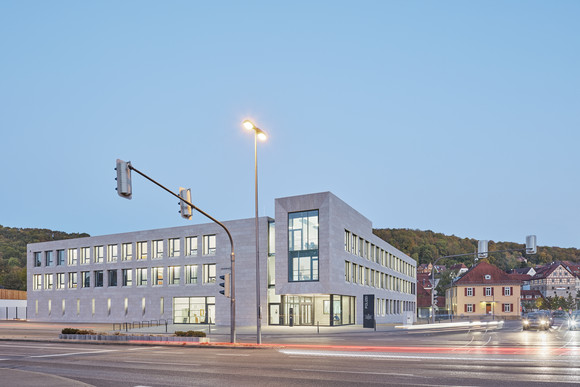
pixel 13 252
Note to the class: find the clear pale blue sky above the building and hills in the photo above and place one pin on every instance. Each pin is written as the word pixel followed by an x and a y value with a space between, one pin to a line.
pixel 461 117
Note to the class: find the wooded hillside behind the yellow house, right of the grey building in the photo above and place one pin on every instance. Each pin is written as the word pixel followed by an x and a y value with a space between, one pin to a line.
pixel 424 246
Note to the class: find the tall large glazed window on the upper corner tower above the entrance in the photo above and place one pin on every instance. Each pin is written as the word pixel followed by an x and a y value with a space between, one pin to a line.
pixel 303 246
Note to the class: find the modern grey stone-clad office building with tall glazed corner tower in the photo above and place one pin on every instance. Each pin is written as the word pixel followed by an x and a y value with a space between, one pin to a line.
pixel 318 257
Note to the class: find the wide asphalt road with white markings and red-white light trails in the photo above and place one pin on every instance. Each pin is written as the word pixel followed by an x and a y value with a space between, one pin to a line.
pixel 435 358
